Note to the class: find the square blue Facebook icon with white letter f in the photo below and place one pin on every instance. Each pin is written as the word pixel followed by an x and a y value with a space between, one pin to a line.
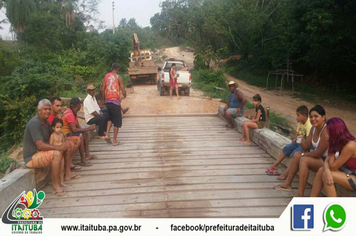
pixel 303 217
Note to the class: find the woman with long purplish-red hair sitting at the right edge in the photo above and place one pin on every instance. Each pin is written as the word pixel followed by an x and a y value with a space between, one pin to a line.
pixel 340 165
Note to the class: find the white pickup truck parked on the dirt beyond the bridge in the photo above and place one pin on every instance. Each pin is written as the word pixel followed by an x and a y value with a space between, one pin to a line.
pixel 184 78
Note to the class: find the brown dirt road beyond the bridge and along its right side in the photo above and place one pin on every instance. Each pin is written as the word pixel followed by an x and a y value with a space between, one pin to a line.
pixel 146 99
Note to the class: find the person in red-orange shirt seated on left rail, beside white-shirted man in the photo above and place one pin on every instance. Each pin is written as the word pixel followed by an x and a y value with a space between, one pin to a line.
pixel 71 128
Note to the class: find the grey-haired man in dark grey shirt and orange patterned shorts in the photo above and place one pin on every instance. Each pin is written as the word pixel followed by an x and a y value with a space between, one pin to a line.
pixel 37 151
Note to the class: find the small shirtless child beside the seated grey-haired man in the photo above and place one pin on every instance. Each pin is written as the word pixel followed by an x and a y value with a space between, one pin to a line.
pixel 57 138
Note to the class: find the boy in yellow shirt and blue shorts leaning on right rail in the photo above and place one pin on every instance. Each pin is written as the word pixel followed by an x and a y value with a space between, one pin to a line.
pixel 302 131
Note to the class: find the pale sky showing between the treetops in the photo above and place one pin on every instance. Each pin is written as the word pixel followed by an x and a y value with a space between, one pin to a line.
pixel 141 10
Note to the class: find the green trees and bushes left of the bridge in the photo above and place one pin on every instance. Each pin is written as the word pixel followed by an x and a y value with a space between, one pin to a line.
pixel 57 52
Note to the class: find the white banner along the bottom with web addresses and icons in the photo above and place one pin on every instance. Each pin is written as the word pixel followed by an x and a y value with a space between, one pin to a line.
pixel 303 216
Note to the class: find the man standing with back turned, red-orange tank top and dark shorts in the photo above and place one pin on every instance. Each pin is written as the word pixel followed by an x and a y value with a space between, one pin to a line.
pixel 112 85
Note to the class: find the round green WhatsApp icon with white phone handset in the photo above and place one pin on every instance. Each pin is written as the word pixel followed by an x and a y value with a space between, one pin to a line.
pixel 334 217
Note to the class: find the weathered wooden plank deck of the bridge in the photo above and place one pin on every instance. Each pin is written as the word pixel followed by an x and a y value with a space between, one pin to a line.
pixel 172 167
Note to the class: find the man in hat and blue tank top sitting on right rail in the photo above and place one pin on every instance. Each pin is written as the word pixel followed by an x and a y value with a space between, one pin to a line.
pixel 234 106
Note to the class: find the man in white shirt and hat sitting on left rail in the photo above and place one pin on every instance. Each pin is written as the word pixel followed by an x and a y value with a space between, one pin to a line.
pixel 92 112
